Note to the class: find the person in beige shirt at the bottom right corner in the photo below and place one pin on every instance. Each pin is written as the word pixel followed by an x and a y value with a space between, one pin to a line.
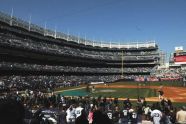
pixel 181 115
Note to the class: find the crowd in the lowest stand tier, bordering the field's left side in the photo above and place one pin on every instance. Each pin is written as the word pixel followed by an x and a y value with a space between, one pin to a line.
pixel 51 82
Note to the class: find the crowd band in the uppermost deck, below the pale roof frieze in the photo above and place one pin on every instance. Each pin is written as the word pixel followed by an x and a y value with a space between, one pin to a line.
pixel 41 46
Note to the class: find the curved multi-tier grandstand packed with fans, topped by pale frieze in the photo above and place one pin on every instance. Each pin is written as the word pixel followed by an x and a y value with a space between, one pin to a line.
pixel 30 52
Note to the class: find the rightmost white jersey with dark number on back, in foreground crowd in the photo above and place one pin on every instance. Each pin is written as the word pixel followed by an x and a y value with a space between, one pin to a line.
pixel 156 115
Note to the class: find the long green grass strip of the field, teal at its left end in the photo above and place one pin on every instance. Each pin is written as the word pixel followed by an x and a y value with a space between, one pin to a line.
pixel 116 92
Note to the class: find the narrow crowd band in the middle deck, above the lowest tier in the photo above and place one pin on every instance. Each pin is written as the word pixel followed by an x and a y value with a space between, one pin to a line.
pixel 50 68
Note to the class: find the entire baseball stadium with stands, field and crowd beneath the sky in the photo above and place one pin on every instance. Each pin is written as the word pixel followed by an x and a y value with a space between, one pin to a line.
pixel 40 66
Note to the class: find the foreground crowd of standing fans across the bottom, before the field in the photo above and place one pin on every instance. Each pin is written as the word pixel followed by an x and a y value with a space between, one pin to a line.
pixel 35 107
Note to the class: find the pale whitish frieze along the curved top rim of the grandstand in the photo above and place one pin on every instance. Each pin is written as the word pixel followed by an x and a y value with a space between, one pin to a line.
pixel 14 21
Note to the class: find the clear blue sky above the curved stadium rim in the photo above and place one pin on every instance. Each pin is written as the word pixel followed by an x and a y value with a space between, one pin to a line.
pixel 109 20
